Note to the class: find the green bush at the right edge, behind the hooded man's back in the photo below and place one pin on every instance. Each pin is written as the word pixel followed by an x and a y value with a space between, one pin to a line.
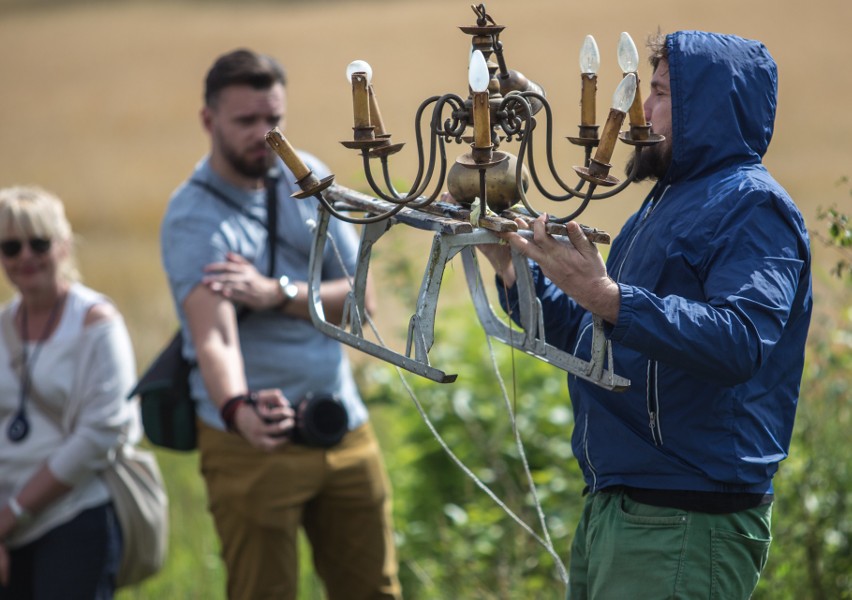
pixel 811 554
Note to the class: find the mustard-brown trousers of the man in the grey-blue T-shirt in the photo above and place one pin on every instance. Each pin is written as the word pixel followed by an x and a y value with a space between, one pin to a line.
pixel 341 496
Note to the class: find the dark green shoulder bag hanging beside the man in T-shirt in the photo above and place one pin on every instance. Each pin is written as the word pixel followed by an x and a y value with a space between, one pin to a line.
pixel 168 410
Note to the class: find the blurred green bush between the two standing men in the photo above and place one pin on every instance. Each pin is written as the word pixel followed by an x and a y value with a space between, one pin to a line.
pixel 454 540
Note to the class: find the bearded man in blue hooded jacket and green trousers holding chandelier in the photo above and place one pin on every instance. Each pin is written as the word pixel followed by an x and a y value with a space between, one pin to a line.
pixel 706 297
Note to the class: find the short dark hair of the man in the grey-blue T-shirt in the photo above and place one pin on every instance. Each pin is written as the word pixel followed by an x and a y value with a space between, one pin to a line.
pixel 242 67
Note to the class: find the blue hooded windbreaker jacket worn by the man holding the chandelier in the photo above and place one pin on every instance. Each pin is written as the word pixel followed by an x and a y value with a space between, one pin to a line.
pixel 714 271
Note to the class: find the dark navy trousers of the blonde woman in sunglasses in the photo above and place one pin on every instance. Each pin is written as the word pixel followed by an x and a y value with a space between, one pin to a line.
pixel 78 559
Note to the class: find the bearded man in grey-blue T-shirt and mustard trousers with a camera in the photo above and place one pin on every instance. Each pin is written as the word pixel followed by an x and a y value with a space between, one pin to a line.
pixel 239 285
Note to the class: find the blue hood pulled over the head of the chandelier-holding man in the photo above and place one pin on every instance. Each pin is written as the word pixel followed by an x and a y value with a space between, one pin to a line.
pixel 724 93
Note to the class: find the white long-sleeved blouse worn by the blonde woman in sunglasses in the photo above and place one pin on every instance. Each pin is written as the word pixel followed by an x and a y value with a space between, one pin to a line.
pixel 77 410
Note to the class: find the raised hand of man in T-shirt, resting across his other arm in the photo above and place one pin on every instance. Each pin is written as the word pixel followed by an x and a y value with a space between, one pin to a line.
pixel 239 281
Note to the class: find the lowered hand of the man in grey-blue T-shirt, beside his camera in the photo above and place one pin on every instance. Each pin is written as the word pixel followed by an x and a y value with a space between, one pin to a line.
pixel 266 424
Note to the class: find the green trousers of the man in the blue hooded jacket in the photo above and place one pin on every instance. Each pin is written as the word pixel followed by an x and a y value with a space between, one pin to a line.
pixel 628 550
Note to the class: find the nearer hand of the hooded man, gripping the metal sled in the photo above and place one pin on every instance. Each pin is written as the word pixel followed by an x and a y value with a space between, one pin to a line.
pixel 577 268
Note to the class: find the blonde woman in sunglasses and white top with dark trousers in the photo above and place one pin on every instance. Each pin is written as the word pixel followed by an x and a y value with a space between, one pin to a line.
pixel 66 366
